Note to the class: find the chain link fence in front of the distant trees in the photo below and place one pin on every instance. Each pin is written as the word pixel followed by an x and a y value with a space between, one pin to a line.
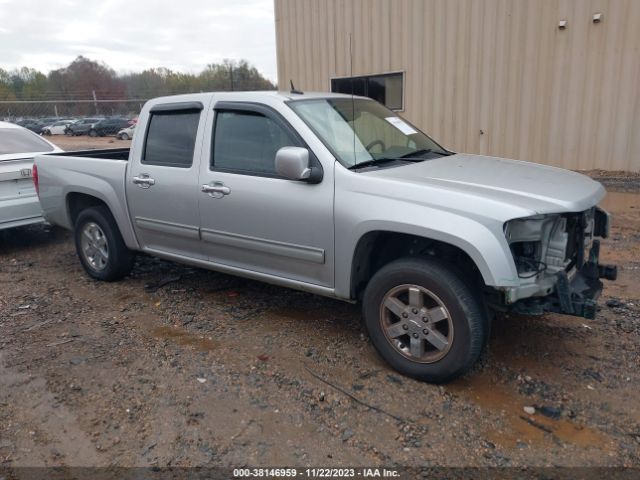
pixel 13 111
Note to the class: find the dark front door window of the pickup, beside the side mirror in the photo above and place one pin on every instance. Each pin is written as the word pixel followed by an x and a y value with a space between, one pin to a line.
pixel 247 142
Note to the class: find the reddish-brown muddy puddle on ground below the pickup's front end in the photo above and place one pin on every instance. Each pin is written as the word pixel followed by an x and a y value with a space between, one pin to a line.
pixel 509 405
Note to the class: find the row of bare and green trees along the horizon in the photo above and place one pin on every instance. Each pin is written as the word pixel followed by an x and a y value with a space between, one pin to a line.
pixel 83 77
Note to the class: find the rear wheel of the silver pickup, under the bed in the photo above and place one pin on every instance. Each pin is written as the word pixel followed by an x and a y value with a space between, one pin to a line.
pixel 100 246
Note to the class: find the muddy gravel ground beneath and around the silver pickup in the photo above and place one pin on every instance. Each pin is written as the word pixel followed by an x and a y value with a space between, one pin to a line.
pixel 210 369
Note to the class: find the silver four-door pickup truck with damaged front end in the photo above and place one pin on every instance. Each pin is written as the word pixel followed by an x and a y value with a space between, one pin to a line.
pixel 341 197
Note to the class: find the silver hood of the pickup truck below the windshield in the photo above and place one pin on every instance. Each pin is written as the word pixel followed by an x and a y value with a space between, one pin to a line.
pixel 527 186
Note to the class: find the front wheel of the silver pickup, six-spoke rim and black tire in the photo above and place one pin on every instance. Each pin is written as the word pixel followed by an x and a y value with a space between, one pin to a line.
pixel 424 320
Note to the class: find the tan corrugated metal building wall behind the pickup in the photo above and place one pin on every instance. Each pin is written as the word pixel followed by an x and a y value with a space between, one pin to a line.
pixel 569 98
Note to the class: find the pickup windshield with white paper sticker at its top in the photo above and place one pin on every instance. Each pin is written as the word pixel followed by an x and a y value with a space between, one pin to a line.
pixel 363 132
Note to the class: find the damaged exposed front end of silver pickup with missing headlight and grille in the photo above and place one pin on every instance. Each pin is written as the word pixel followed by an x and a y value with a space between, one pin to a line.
pixel 557 259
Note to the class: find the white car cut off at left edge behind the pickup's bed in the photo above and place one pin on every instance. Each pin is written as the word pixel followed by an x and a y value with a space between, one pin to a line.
pixel 19 203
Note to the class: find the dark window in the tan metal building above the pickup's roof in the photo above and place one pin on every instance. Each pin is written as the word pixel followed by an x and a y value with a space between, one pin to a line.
pixel 386 89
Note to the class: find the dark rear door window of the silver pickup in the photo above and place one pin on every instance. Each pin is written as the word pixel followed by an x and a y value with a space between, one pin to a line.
pixel 171 139
